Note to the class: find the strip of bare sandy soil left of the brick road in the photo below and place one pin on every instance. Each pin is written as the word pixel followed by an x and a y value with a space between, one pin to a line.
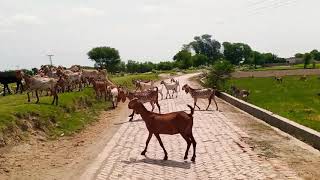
pixel 64 158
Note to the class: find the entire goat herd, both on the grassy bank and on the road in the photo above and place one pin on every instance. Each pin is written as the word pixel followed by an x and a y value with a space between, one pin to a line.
pixel 55 80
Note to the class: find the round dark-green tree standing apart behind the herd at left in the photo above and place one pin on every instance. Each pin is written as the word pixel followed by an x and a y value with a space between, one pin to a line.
pixel 105 58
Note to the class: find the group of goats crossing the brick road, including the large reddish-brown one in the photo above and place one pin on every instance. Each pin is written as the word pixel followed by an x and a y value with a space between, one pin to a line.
pixel 170 123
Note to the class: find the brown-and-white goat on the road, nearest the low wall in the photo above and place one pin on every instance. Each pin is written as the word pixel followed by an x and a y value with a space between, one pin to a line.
pixel 201 94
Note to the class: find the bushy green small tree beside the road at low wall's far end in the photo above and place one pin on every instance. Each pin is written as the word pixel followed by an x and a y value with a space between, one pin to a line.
pixel 220 72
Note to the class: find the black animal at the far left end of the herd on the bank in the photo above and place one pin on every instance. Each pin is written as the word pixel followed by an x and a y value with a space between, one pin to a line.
pixel 11 77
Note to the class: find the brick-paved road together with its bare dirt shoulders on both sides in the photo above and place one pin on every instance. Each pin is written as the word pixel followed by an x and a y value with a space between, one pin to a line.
pixel 231 144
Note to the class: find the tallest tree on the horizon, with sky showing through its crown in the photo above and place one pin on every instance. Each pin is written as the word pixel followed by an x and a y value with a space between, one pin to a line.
pixel 205 45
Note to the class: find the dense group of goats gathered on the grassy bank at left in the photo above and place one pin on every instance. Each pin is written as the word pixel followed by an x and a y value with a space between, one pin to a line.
pixel 56 80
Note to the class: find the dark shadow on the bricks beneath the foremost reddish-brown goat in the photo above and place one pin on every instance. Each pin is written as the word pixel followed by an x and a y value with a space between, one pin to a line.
pixel 158 162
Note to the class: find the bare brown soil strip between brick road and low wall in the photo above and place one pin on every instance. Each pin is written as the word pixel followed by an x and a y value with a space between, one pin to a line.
pixel 273 144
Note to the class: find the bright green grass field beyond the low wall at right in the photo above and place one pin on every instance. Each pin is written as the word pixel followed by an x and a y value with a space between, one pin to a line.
pixel 294 99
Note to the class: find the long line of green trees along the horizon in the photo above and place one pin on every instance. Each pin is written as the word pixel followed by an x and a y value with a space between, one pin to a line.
pixel 203 50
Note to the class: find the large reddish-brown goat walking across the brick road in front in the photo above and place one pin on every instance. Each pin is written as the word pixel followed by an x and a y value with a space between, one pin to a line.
pixel 171 123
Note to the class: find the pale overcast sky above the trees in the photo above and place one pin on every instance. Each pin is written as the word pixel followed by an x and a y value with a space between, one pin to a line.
pixel 149 30
